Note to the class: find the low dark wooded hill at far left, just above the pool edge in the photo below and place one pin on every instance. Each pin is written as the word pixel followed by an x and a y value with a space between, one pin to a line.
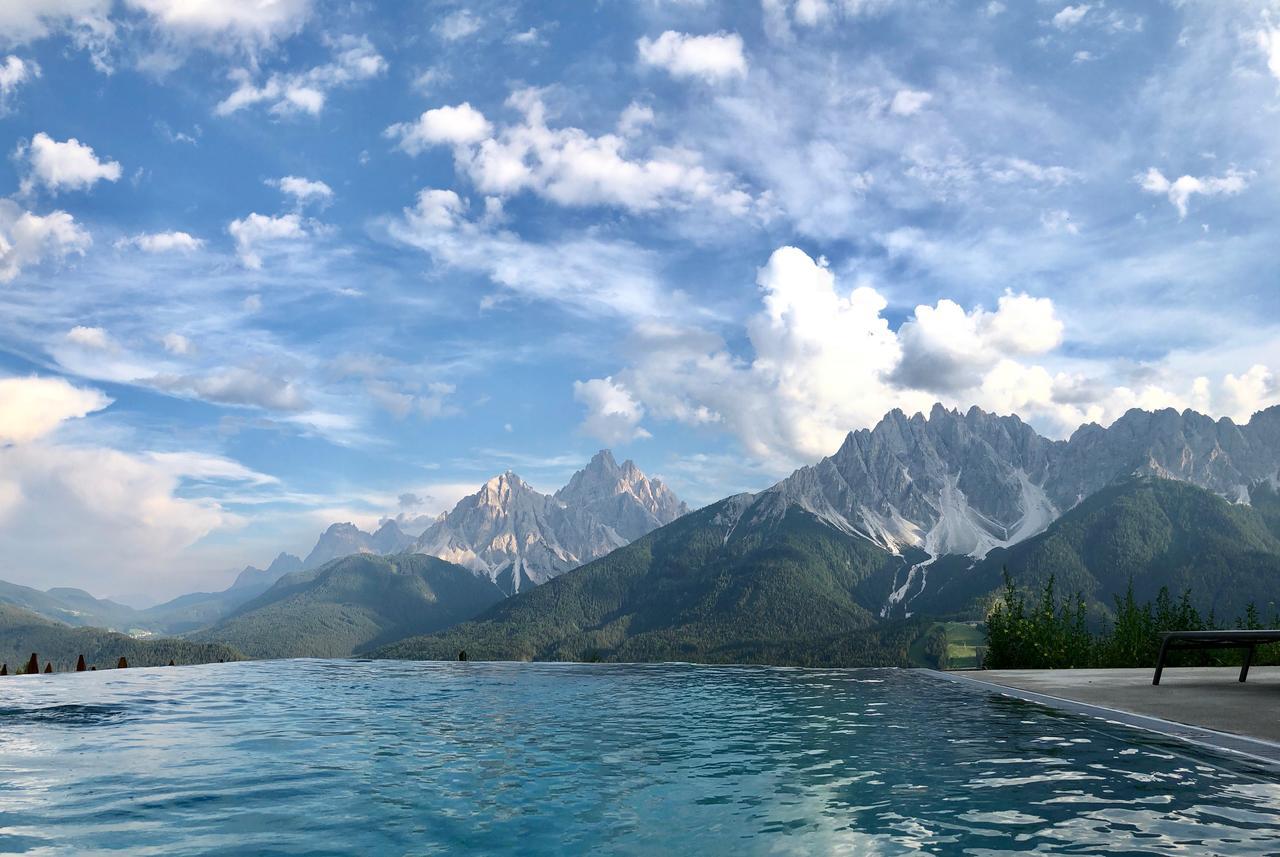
pixel 24 633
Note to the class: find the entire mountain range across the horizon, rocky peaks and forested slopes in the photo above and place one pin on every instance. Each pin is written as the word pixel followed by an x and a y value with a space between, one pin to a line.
pixel 835 565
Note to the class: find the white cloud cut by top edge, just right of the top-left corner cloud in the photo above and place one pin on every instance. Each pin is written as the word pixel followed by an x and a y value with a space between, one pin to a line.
pixel 248 22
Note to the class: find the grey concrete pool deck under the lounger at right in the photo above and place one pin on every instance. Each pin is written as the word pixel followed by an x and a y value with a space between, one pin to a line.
pixel 1204 705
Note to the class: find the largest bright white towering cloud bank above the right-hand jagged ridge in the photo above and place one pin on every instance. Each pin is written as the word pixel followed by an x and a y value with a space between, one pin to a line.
pixel 824 360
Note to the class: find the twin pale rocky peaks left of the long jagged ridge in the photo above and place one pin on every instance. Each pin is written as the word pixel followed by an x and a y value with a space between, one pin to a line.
pixel 518 537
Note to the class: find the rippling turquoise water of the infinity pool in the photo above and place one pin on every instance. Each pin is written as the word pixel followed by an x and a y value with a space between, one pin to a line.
pixel 479 759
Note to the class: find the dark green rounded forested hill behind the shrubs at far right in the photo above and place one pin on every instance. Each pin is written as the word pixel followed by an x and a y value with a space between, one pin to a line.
pixel 1156 533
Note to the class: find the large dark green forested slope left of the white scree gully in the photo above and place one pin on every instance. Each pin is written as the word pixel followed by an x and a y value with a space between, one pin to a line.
pixel 696 590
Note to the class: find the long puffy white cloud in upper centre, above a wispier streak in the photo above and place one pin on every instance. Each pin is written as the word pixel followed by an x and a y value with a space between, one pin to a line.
pixel 568 166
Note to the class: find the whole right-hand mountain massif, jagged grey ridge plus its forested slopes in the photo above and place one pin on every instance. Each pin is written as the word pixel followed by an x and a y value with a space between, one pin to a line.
pixel 918 516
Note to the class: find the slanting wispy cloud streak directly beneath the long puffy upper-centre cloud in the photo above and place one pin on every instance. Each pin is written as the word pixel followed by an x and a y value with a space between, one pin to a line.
pixel 582 273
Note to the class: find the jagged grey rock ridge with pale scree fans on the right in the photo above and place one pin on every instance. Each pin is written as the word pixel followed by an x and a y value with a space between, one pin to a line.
pixel 967 483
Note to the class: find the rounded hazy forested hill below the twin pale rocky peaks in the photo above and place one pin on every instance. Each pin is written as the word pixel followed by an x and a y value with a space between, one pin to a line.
pixel 353 604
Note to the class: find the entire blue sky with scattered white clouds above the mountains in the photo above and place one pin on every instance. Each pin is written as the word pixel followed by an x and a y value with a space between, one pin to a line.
pixel 271 264
